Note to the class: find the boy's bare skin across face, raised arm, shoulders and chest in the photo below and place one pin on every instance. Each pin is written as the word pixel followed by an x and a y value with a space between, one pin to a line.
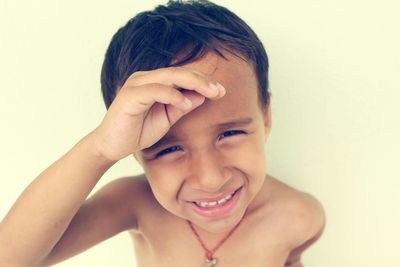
pixel 52 221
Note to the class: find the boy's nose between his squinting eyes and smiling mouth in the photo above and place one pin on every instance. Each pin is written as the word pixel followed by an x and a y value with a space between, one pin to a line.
pixel 209 171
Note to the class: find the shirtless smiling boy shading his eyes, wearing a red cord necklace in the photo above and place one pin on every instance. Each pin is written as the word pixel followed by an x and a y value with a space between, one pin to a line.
pixel 187 94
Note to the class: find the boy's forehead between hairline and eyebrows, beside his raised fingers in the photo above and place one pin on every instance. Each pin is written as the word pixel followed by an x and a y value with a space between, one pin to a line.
pixel 240 101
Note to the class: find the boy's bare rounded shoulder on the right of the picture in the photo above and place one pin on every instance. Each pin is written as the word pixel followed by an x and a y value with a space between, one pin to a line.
pixel 301 214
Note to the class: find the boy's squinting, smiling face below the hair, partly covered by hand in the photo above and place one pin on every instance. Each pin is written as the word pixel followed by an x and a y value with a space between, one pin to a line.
pixel 214 151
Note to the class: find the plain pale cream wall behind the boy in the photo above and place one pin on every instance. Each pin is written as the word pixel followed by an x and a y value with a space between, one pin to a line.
pixel 335 68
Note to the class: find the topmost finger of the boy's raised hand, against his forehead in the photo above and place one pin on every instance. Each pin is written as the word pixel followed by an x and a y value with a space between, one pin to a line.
pixel 180 77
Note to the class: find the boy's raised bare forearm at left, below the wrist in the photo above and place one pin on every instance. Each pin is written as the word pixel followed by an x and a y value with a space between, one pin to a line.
pixel 44 210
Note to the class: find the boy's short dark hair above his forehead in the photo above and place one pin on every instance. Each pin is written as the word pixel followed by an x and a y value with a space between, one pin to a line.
pixel 153 39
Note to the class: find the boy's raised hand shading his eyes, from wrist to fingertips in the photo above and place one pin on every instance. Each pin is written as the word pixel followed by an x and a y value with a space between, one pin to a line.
pixel 147 105
